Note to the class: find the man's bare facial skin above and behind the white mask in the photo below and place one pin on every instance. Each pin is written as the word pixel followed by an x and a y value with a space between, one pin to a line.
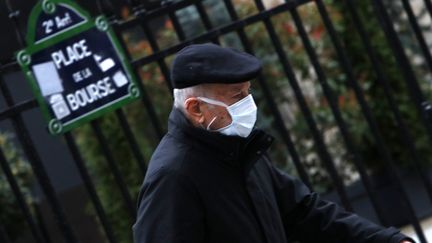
pixel 226 93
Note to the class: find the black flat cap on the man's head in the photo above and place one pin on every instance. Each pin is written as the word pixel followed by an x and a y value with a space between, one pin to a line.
pixel 210 63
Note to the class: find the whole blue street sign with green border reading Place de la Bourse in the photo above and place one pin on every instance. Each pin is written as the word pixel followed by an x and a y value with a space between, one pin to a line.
pixel 75 65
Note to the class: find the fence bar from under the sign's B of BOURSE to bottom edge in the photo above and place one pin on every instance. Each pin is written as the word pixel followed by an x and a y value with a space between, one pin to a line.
pixel 90 187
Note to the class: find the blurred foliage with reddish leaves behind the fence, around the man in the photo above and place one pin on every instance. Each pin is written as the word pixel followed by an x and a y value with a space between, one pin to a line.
pixel 156 90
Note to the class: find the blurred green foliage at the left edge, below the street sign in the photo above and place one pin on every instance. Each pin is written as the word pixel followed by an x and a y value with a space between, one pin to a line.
pixel 10 215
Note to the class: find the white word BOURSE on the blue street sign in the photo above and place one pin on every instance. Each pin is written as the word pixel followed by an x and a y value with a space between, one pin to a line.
pixel 90 94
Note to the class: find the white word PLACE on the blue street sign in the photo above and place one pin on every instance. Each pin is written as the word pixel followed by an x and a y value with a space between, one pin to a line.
pixel 71 54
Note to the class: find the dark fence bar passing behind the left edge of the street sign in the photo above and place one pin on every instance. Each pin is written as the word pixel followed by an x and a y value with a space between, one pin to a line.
pixel 31 152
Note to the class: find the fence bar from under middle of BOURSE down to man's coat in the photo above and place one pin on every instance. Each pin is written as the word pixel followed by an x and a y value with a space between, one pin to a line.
pixel 114 168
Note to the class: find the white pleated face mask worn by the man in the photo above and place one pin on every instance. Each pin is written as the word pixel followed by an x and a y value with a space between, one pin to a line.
pixel 243 114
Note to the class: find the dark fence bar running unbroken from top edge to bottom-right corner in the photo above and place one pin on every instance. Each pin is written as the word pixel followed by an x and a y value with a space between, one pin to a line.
pixel 371 121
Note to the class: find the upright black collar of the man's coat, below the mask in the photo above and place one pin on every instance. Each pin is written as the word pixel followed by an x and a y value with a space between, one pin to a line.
pixel 231 149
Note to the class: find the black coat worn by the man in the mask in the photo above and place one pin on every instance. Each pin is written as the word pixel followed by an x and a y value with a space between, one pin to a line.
pixel 210 188
